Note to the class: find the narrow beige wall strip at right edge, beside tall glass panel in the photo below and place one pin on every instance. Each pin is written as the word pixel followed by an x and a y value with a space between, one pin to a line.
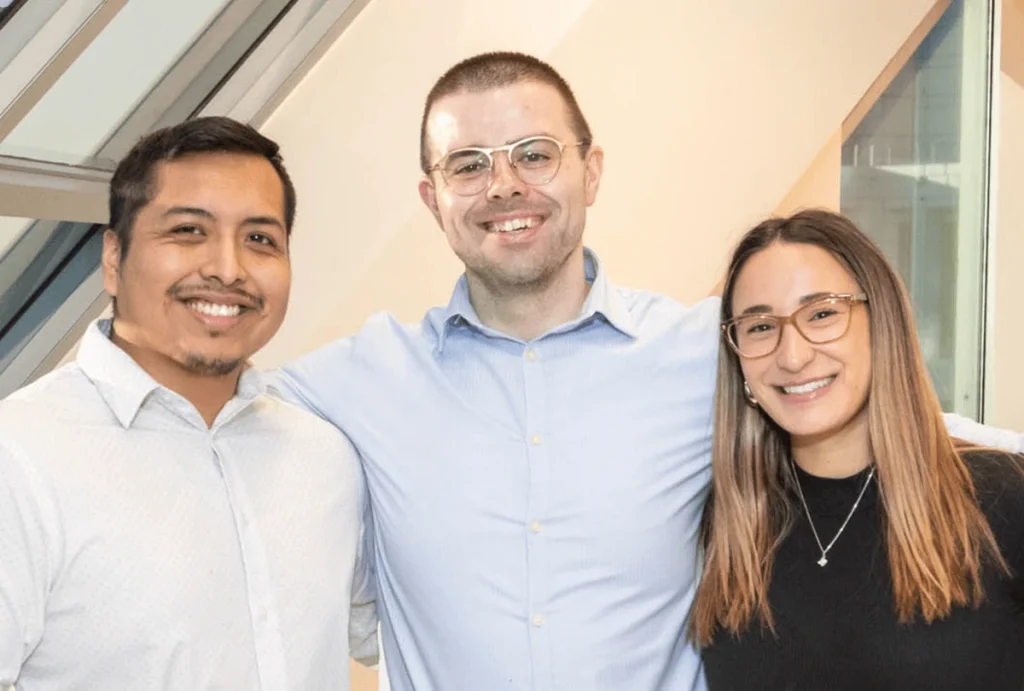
pixel 1005 374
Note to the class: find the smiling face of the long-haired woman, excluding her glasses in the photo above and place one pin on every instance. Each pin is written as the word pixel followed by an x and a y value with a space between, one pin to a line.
pixel 813 392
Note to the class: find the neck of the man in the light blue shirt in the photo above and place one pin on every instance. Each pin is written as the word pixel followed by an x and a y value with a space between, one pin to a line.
pixel 529 312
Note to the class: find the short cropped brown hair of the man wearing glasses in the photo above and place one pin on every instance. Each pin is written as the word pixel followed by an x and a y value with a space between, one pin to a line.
pixel 493 71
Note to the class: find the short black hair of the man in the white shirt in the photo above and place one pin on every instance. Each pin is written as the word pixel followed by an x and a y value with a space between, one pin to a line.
pixel 132 187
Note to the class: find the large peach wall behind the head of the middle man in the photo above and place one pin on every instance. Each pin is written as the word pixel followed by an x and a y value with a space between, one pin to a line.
pixel 709 113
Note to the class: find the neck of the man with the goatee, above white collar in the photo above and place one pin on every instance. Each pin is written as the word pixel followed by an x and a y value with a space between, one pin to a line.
pixel 207 394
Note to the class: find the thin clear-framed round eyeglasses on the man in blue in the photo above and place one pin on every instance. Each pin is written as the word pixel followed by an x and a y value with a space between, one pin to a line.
pixel 535 160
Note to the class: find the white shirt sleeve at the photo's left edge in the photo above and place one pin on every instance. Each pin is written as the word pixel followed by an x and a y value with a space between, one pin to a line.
pixel 26 564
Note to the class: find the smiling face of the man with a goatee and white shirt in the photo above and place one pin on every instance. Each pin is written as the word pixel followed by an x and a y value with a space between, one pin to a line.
pixel 205 281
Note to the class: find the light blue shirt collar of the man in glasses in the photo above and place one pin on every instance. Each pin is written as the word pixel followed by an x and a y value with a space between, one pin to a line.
pixel 603 300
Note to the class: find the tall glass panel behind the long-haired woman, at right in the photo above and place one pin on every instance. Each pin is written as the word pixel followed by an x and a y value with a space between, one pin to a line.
pixel 915 179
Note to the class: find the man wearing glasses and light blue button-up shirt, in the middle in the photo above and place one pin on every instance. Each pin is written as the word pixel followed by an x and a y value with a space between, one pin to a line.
pixel 537 451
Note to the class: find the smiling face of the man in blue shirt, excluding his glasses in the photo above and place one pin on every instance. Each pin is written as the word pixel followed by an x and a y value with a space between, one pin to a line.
pixel 511 234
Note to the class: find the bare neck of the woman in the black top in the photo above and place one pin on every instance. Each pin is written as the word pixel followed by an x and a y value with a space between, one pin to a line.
pixel 839 454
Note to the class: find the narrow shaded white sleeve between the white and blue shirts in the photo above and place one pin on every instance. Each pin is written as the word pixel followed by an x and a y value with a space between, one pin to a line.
pixel 363 640
